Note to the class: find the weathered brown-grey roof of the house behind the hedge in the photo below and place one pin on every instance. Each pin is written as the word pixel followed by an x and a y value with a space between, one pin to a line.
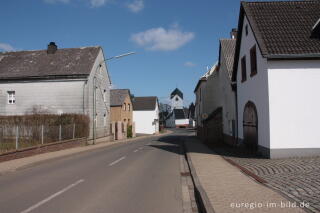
pixel 69 62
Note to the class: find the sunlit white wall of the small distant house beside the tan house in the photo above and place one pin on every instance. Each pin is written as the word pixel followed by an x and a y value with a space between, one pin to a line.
pixel 144 121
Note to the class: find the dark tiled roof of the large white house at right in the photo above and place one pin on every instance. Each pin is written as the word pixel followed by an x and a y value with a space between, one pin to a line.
pixel 283 29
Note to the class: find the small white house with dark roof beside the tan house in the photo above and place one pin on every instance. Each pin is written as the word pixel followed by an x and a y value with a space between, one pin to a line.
pixel 146 114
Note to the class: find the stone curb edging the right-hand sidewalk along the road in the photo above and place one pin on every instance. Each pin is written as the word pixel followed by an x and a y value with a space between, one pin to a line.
pixel 203 201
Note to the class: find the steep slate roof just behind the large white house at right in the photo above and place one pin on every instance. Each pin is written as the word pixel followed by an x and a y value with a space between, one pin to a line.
pixel 227 50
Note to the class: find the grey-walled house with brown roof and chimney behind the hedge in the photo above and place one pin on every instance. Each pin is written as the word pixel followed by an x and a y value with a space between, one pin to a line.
pixel 56 81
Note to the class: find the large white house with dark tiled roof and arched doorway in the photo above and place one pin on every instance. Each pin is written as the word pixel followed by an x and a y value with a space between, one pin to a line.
pixel 277 75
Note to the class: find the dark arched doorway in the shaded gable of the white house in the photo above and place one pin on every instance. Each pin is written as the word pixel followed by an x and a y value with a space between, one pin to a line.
pixel 250 126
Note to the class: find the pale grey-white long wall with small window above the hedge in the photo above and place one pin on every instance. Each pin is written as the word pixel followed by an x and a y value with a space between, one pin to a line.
pixel 49 96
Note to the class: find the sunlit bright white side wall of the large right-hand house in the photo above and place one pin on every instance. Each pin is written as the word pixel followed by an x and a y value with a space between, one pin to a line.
pixel 294 103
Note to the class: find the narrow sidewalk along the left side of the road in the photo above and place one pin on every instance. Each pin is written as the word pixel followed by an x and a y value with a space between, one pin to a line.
pixel 12 165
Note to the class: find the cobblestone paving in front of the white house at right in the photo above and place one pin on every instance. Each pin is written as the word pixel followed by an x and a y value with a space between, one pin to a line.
pixel 298 178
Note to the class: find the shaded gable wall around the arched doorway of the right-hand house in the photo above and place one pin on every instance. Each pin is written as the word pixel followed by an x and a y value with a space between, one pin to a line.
pixel 254 89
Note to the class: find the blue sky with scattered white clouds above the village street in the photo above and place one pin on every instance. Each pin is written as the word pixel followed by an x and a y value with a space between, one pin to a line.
pixel 175 40
